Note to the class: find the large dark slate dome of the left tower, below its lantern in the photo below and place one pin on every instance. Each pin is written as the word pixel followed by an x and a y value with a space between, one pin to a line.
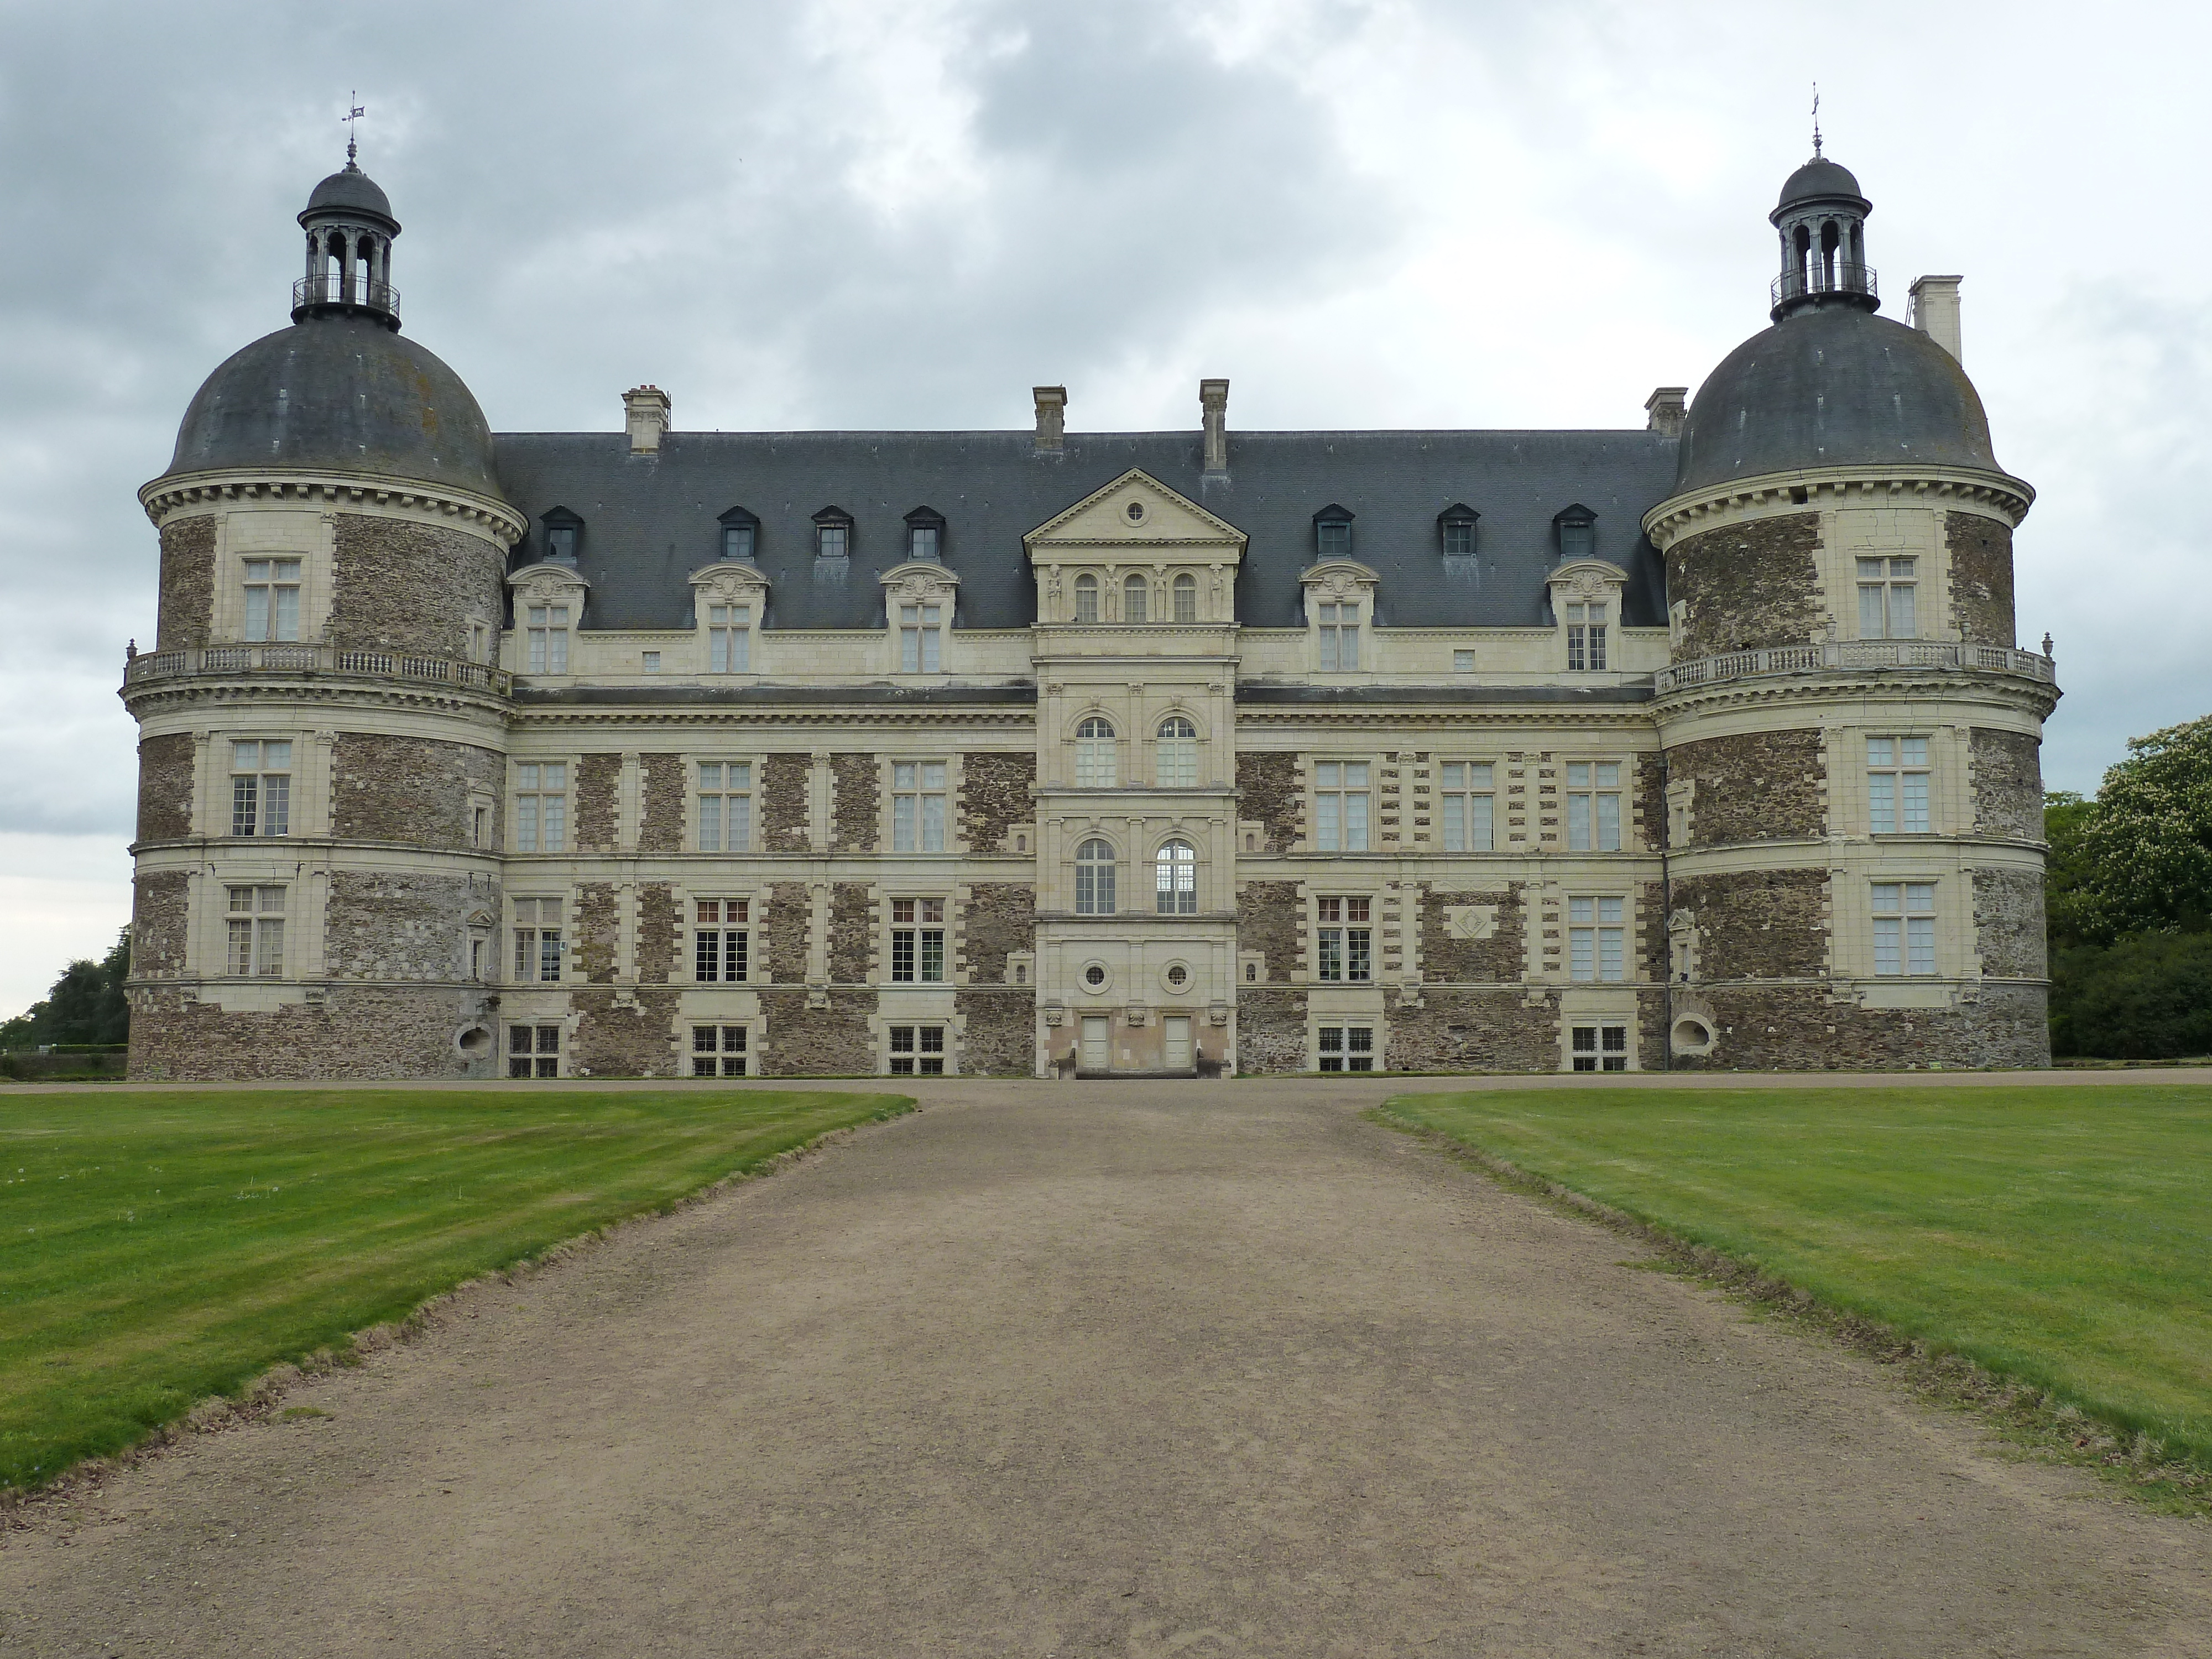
pixel 340 395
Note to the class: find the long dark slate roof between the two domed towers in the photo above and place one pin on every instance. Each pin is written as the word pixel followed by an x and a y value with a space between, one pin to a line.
pixel 651 521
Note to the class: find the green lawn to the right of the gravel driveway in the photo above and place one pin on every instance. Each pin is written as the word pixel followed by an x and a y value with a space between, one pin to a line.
pixel 2054 1235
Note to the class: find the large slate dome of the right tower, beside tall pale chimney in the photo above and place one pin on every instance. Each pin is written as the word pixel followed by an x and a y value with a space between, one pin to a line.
pixel 1833 388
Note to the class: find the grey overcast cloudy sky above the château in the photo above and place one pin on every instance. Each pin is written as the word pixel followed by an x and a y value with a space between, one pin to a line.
pixel 906 213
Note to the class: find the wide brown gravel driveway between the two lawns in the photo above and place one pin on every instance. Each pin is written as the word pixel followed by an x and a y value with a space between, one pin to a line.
pixel 1107 1370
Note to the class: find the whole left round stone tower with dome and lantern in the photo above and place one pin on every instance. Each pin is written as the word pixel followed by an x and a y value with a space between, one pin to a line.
pixel 322 720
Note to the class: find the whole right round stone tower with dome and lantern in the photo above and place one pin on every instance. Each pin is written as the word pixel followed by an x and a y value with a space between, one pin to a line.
pixel 1850 729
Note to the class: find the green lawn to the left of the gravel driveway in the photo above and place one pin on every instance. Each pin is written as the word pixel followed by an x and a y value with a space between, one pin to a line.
pixel 163 1249
